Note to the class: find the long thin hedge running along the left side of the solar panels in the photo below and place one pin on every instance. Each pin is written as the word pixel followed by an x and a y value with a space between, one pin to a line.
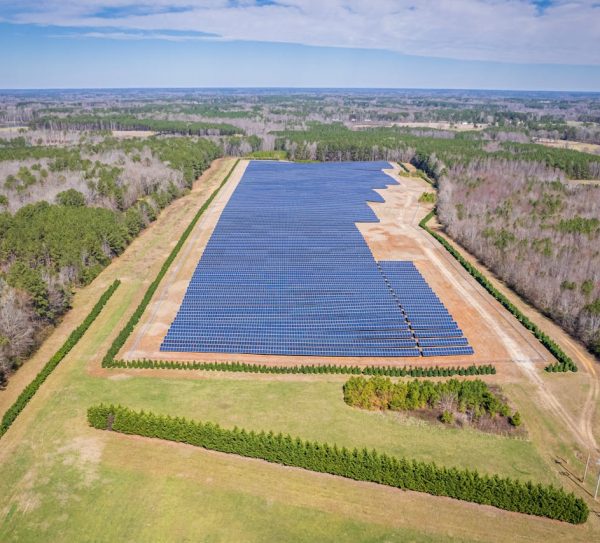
pixel 108 360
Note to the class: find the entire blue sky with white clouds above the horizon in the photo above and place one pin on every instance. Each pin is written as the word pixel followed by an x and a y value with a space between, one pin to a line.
pixel 483 44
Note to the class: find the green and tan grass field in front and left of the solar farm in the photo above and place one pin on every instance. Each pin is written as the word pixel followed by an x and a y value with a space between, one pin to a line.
pixel 63 481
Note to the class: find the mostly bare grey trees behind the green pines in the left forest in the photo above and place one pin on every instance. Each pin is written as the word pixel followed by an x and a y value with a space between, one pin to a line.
pixel 110 173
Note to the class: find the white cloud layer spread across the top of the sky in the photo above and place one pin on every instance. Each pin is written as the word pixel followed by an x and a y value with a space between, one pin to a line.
pixel 536 31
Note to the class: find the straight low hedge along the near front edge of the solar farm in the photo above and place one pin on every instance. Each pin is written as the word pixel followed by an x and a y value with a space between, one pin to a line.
pixel 391 371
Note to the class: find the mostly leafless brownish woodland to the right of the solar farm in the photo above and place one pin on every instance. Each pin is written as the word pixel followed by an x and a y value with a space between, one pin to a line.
pixel 540 235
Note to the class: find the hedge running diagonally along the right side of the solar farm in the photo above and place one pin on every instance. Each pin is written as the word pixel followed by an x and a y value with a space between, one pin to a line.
pixel 564 362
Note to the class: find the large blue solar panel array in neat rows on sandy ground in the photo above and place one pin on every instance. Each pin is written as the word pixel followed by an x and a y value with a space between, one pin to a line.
pixel 287 272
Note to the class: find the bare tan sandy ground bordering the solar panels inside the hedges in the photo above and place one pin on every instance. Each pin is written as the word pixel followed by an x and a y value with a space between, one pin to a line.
pixel 495 336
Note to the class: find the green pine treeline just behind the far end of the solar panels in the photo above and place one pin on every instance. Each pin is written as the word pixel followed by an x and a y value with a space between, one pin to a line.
pixel 335 142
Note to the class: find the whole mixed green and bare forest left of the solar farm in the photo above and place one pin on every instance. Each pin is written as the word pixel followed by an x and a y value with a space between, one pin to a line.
pixel 67 211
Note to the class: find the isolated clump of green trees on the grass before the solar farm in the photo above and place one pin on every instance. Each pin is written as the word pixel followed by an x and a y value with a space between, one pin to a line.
pixel 472 397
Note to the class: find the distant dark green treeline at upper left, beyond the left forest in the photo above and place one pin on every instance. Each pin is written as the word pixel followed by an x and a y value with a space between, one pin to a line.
pixel 130 122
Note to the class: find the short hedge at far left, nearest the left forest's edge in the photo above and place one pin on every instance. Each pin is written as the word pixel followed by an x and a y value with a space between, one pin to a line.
pixel 28 392
